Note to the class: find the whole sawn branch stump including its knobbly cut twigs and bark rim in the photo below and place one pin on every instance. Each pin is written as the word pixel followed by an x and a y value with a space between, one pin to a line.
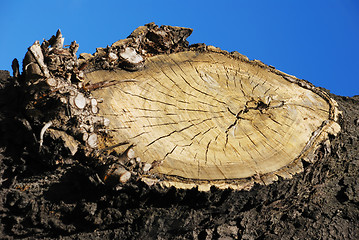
pixel 184 116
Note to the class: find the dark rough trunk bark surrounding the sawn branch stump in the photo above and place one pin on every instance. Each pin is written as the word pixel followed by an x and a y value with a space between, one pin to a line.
pixel 38 200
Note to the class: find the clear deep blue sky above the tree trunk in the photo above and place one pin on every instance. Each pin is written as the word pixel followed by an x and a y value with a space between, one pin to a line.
pixel 316 40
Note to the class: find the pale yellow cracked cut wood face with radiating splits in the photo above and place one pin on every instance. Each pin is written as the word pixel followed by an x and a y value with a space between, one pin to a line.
pixel 213 119
